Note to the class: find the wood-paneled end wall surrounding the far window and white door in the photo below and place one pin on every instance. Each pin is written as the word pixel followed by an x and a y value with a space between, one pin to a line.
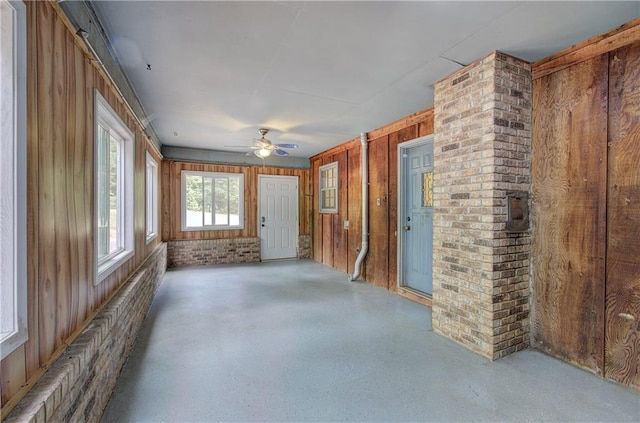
pixel 172 200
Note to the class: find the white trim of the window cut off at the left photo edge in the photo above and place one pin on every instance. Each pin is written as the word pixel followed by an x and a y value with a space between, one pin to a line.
pixel 14 258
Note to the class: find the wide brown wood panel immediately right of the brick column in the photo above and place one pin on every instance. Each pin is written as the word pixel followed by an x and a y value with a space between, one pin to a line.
pixel 569 228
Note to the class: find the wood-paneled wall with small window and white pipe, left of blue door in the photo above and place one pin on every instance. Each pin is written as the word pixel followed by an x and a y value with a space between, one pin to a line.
pixel 337 247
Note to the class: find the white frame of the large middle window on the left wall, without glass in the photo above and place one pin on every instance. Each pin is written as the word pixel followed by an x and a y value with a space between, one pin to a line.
pixel 105 116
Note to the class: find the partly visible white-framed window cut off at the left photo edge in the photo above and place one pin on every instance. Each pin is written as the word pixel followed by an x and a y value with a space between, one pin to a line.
pixel 13 163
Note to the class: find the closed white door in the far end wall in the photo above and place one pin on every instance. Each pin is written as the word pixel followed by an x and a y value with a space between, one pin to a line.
pixel 278 216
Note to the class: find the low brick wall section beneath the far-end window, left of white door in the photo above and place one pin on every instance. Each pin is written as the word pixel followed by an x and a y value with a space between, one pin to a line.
pixel 212 251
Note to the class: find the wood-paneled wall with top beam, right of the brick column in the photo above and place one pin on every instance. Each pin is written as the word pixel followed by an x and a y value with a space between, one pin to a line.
pixel 586 205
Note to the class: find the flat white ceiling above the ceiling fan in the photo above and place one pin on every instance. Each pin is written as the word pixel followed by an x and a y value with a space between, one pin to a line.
pixel 318 73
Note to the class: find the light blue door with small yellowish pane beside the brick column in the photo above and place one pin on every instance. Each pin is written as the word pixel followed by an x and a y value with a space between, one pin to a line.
pixel 417 224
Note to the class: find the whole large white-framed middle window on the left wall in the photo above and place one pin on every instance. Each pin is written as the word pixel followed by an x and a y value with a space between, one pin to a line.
pixel 113 190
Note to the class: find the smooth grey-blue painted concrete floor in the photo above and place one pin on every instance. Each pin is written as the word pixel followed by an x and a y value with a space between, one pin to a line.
pixel 295 341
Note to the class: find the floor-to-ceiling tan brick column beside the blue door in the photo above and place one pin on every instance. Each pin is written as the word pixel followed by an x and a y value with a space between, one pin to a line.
pixel 482 150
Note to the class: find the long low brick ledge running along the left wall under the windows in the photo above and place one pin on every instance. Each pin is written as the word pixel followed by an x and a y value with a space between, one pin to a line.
pixel 78 385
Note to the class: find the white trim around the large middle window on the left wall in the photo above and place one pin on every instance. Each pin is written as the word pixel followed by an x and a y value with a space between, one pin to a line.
pixel 105 114
